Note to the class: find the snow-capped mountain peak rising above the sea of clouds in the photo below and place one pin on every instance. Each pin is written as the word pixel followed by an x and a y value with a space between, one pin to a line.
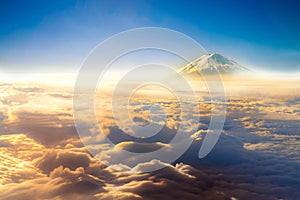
pixel 213 63
